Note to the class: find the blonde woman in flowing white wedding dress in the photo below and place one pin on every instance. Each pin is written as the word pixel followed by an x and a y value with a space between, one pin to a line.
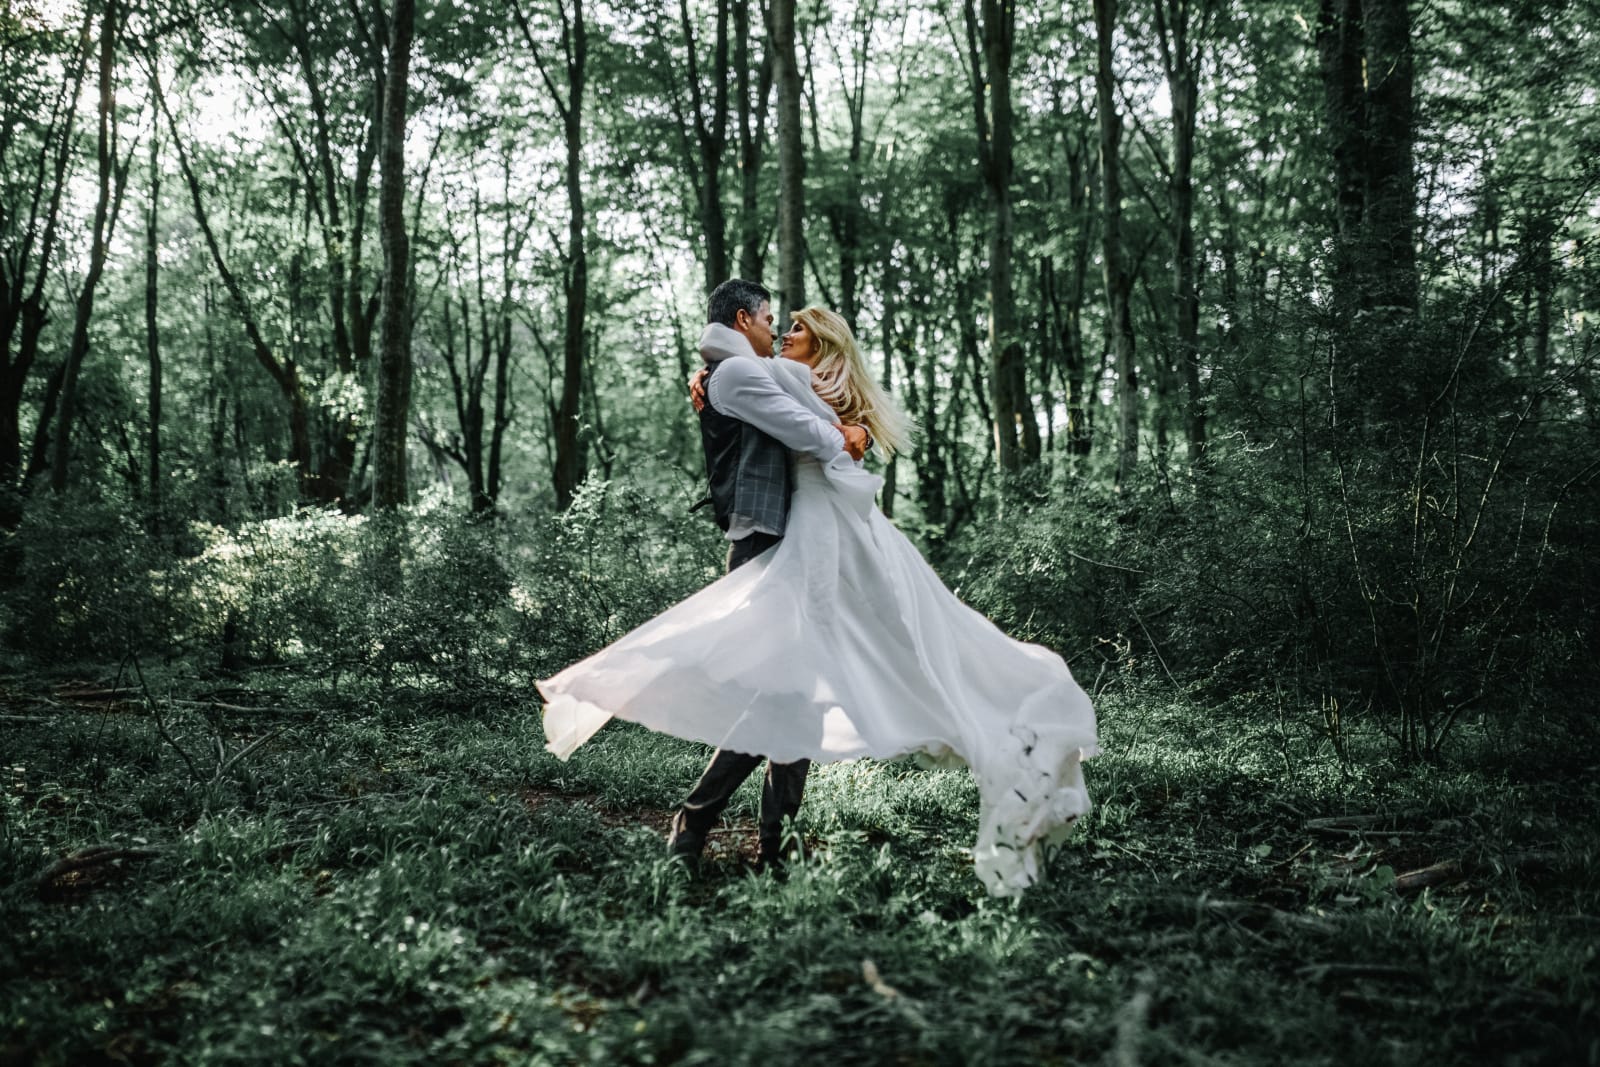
pixel 842 642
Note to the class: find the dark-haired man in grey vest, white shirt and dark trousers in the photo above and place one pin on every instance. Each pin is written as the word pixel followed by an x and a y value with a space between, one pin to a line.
pixel 748 428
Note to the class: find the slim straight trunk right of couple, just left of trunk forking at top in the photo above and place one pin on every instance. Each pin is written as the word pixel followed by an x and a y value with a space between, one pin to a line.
pixel 1118 284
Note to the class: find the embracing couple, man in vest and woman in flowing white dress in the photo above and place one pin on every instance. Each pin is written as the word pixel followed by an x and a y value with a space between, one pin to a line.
pixel 830 637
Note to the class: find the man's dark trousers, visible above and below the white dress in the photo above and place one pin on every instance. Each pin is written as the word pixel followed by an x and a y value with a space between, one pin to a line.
pixel 785 783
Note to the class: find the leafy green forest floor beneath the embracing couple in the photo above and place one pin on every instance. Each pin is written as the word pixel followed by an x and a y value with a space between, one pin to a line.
pixel 364 879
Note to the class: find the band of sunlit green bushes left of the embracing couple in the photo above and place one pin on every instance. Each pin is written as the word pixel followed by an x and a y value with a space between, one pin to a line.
pixel 431 599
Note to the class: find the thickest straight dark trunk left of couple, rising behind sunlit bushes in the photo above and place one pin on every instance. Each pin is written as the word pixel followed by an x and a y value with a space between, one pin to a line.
pixel 394 361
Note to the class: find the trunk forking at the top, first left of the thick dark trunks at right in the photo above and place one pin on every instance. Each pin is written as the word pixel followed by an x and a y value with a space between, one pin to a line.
pixel 1183 84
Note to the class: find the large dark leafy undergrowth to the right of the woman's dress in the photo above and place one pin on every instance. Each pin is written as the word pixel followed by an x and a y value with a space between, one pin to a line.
pixel 1340 554
